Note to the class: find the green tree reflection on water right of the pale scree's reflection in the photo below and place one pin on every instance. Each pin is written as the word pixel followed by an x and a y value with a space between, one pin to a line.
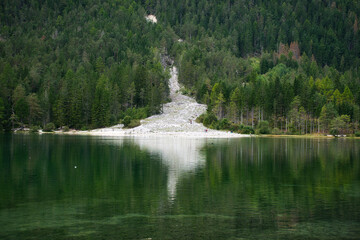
pixel 271 183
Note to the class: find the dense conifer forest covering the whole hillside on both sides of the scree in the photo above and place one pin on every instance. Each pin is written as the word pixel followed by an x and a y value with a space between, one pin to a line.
pixel 283 66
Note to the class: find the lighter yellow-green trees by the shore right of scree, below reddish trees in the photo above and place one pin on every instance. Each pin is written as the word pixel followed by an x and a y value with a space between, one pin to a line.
pixel 285 96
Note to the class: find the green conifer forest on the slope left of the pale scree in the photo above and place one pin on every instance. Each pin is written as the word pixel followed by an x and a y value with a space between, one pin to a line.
pixel 79 64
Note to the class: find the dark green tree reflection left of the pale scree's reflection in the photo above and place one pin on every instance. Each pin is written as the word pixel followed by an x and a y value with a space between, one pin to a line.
pixel 43 169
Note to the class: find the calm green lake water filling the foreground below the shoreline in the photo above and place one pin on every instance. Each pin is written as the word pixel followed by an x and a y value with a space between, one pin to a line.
pixel 80 187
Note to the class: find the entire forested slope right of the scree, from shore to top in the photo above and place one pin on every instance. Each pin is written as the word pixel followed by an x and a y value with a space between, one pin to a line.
pixel 216 59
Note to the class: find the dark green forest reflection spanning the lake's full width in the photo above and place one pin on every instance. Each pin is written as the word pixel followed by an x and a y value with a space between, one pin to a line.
pixel 241 185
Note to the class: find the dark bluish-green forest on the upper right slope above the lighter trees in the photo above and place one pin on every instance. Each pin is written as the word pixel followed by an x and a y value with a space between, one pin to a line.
pixel 327 30
